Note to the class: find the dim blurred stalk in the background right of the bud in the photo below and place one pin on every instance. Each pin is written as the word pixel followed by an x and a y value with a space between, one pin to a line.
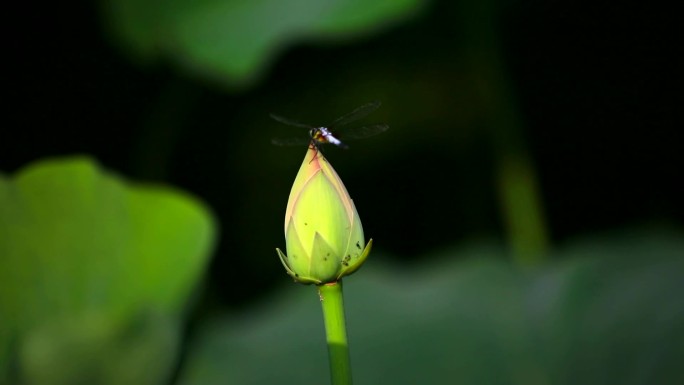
pixel 519 195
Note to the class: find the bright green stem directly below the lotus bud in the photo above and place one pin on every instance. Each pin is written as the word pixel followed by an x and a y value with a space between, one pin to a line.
pixel 336 332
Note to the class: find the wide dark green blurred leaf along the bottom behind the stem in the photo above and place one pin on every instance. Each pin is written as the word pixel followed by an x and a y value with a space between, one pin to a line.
pixel 609 312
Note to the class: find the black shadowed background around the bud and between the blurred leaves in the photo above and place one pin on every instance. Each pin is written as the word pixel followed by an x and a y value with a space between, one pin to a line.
pixel 595 87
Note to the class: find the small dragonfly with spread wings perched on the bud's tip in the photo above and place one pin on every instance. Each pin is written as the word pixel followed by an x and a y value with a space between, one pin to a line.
pixel 329 134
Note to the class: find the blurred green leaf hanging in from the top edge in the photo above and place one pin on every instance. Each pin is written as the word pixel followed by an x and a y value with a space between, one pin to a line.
pixel 233 41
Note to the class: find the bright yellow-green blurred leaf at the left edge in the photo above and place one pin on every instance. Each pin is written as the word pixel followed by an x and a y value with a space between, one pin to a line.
pixel 95 273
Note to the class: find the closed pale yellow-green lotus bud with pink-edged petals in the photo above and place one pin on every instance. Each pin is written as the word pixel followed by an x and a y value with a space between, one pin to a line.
pixel 323 231
